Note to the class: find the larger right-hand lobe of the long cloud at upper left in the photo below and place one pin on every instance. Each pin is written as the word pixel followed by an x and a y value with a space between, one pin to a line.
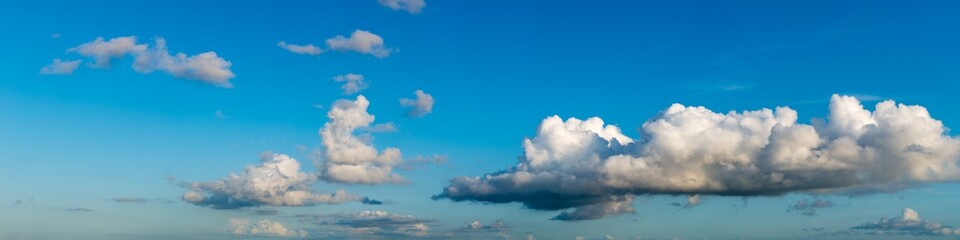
pixel 206 67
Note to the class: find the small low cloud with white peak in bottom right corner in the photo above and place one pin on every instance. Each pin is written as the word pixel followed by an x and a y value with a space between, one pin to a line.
pixel 909 222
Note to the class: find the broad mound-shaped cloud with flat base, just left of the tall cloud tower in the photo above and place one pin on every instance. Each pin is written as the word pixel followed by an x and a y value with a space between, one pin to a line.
pixel 276 181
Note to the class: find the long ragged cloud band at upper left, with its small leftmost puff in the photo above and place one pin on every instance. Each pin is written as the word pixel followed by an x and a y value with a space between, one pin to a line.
pixel 206 67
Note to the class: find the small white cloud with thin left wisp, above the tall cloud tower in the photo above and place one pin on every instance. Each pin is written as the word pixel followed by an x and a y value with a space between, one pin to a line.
pixel 359 41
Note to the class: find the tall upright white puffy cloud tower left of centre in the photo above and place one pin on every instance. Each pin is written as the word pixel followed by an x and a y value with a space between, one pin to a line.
pixel 349 158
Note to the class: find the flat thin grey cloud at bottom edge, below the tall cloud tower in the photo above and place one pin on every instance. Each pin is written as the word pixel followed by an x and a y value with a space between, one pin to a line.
pixel 373 223
